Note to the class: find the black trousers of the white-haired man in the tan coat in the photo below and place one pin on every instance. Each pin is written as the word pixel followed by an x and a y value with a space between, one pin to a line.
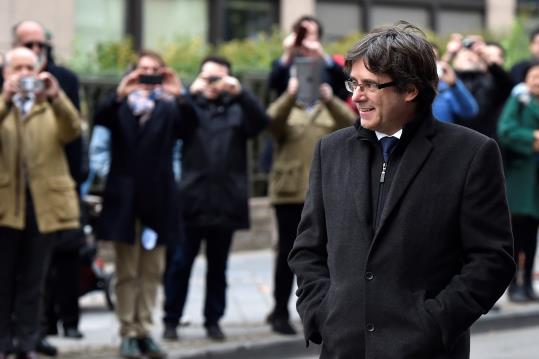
pixel 24 258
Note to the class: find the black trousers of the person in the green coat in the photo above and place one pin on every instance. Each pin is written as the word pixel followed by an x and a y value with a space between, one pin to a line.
pixel 525 235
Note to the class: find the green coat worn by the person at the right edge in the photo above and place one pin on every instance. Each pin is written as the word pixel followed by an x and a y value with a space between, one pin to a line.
pixel 515 134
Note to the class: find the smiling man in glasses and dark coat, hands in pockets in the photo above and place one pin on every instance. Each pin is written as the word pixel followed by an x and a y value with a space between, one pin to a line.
pixel 405 238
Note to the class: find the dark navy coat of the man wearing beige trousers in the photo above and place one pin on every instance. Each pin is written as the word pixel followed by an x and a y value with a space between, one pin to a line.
pixel 140 184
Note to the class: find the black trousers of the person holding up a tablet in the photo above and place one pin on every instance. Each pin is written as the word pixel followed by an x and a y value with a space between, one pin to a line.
pixel 288 217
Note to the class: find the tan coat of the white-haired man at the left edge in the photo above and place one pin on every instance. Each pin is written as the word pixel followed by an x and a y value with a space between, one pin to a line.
pixel 32 155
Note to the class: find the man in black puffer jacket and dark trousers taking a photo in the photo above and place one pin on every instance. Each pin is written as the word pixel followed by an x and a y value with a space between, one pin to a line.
pixel 214 189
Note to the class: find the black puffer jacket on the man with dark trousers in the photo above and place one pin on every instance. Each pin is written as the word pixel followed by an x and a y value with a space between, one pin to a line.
pixel 214 188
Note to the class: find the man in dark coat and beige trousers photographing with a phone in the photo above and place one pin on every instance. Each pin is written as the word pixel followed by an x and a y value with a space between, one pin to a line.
pixel 140 214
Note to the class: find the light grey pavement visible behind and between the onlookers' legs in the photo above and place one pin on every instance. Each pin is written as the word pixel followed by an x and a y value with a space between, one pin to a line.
pixel 249 300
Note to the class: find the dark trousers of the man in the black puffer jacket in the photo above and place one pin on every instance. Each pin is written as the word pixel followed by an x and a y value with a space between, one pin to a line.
pixel 180 263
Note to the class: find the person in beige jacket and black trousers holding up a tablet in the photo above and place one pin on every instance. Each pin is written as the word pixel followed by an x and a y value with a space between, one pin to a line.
pixel 295 127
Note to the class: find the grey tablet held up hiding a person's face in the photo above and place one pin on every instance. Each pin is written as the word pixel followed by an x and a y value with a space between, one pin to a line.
pixel 308 71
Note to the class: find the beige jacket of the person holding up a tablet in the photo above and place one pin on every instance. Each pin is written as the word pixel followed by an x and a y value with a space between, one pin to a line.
pixel 296 132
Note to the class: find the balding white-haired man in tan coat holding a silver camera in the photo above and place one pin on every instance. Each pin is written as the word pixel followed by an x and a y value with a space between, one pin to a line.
pixel 37 193
